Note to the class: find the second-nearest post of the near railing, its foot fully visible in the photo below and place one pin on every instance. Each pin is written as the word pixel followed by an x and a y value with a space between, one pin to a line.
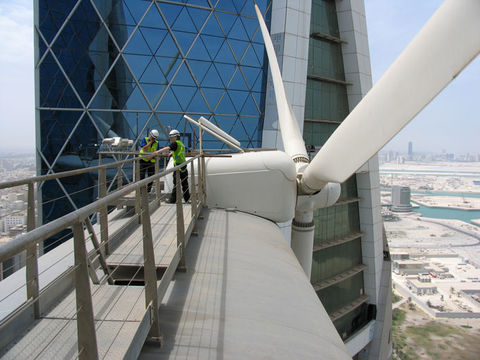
pixel 150 270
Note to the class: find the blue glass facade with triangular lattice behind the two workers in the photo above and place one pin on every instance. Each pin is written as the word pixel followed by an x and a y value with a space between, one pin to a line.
pixel 123 67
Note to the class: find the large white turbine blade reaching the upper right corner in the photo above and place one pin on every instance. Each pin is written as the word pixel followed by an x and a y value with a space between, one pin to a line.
pixel 446 44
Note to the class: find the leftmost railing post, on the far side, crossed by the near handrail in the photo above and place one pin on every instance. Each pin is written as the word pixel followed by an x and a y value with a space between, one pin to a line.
pixel 32 255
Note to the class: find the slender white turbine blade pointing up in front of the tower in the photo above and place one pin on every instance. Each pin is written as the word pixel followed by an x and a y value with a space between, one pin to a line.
pixel 292 139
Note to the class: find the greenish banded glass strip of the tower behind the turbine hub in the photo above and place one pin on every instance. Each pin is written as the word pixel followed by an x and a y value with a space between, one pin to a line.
pixel 337 228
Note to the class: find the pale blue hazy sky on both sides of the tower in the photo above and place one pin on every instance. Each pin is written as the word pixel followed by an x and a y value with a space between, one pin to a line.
pixel 451 122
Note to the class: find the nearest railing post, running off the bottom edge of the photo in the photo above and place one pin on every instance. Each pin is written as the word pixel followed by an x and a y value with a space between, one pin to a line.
pixel 86 336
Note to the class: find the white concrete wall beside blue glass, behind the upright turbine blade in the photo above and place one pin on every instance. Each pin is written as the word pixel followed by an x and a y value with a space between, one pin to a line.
pixel 290 31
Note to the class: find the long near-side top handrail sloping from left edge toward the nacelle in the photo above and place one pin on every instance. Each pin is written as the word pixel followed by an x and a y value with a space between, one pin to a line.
pixel 24 241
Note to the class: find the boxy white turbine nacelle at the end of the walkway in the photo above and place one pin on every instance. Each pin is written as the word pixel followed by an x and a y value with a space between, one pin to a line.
pixel 259 183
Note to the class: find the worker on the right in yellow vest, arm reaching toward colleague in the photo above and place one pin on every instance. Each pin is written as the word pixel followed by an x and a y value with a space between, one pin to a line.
pixel 177 150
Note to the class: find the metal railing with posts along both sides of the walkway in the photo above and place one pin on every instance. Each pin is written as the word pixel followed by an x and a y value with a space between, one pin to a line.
pixel 78 220
